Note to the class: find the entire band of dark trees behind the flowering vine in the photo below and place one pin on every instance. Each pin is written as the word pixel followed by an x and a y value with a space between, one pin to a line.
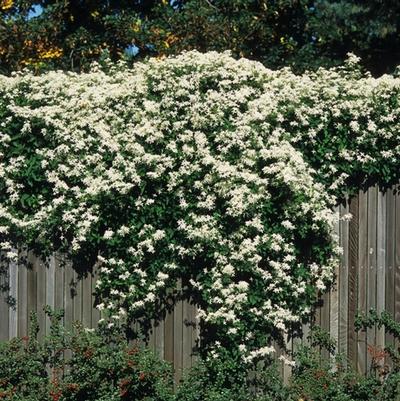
pixel 69 34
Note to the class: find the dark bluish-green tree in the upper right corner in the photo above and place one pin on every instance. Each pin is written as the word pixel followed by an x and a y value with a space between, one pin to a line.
pixel 370 28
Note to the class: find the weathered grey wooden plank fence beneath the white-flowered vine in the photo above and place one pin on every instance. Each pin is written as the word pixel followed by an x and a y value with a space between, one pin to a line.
pixel 367 277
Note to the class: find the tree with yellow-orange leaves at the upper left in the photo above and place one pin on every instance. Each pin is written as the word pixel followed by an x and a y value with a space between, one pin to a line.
pixel 67 34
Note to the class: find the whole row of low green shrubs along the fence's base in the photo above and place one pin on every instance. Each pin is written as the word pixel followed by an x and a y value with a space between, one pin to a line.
pixel 98 365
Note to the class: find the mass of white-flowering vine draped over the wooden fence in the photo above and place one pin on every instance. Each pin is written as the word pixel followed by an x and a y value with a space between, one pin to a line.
pixel 203 168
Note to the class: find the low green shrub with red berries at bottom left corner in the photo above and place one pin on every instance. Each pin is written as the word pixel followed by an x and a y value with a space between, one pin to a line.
pixel 80 365
